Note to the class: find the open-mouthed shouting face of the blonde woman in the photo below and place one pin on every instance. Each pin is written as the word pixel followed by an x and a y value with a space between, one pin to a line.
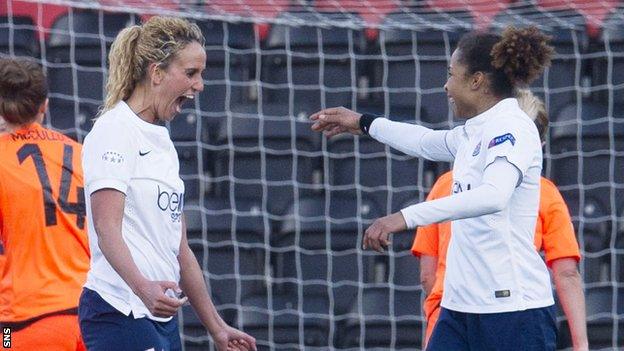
pixel 179 82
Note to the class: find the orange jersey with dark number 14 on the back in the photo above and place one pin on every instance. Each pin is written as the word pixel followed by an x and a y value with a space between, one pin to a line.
pixel 42 223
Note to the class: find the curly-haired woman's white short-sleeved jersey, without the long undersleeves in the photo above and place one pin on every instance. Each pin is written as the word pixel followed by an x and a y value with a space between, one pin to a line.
pixel 492 265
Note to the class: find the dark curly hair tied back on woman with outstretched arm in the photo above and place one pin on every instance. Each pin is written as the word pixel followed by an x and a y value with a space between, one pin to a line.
pixel 516 58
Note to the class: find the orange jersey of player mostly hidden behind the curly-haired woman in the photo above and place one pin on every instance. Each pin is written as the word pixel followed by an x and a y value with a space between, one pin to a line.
pixel 554 234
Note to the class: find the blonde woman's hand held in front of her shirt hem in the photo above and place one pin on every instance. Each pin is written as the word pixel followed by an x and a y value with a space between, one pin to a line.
pixel 153 294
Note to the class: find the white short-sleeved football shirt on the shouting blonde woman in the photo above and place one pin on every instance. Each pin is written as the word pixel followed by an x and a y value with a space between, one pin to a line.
pixel 125 153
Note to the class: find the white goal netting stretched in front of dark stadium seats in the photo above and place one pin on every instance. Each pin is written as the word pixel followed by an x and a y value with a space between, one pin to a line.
pixel 276 212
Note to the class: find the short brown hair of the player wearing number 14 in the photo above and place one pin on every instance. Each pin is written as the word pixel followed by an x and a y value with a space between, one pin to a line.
pixel 23 89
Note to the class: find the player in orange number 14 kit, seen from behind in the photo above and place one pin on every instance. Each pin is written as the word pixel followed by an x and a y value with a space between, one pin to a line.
pixel 42 218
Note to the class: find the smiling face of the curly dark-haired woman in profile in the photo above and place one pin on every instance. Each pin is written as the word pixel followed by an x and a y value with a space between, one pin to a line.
pixel 459 88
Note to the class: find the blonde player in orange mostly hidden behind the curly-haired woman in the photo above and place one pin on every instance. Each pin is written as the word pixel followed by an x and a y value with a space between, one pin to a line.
pixel 554 234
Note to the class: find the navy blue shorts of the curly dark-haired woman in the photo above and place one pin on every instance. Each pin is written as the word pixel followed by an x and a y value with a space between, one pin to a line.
pixel 529 330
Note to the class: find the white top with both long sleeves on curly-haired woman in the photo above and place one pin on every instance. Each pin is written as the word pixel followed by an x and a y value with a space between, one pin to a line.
pixel 492 266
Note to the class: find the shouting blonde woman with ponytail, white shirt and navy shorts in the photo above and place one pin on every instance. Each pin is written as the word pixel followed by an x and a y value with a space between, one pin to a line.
pixel 141 263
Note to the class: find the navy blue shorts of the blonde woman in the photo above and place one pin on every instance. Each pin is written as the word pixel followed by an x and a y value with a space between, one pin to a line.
pixel 105 328
